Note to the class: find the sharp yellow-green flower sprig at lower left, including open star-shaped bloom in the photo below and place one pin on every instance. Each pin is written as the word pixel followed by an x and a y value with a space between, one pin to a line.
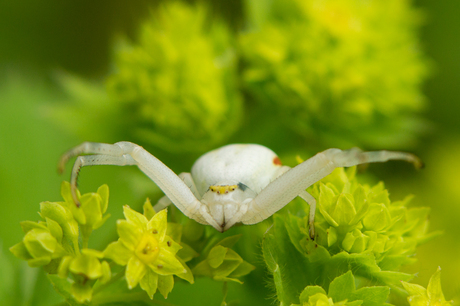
pixel 149 252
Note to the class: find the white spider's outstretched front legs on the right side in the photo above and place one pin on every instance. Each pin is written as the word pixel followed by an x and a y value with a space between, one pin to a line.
pixel 294 182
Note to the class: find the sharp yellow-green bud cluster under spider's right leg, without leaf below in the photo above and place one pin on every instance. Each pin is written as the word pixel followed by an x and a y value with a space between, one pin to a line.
pixel 358 218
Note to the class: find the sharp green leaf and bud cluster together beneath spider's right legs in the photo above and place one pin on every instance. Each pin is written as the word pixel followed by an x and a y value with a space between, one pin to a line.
pixel 358 229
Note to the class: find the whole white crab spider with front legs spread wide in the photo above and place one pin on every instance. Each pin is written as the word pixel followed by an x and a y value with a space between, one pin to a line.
pixel 236 183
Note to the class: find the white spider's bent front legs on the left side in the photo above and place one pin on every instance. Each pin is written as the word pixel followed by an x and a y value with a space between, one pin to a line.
pixel 127 153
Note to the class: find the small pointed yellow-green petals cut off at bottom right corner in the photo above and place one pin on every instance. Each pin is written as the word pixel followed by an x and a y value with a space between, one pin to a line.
pixel 431 296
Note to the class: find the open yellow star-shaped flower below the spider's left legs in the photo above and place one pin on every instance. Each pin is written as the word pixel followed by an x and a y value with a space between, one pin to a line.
pixel 147 252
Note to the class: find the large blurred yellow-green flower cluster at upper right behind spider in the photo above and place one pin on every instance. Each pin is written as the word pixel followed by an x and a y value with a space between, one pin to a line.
pixel 329 68
